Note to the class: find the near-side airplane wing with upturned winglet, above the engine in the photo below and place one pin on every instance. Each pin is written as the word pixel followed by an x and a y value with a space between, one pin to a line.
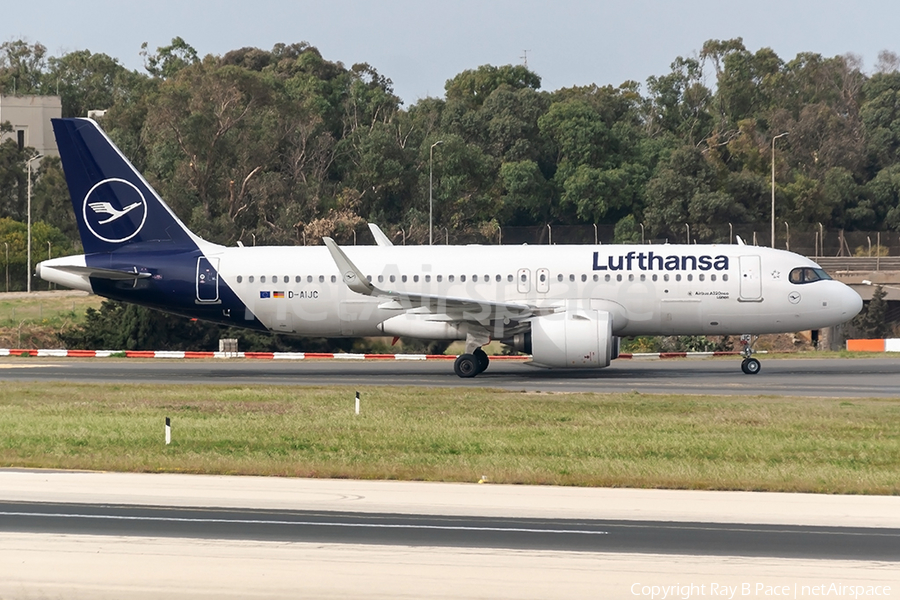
pixel 467 309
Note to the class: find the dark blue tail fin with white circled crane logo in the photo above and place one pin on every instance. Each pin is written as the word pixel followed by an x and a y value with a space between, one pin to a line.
pixel 114 205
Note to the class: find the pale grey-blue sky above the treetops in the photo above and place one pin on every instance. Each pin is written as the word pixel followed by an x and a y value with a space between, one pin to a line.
pixel 420 44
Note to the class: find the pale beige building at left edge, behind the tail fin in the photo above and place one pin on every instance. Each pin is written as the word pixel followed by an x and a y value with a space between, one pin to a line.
pixel 30 119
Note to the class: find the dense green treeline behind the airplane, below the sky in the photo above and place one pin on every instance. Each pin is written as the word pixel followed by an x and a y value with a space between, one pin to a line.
pixel 284 146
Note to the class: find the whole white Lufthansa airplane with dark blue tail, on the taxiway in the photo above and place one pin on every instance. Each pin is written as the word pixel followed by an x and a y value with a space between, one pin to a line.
pixel 566 305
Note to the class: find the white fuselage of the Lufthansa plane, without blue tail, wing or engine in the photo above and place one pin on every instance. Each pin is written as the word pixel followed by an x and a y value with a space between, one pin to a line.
pixel 659 289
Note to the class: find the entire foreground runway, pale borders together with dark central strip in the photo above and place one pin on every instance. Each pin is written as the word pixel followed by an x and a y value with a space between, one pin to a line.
pixel 120 535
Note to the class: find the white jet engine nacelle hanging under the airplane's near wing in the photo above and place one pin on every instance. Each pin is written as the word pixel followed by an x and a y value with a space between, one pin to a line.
pixel 577 338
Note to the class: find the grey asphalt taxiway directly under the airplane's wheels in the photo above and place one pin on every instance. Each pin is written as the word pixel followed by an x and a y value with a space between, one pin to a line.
pixel 850 378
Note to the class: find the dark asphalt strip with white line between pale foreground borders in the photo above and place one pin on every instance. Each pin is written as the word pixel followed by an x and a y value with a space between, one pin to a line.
pixel 571 535
